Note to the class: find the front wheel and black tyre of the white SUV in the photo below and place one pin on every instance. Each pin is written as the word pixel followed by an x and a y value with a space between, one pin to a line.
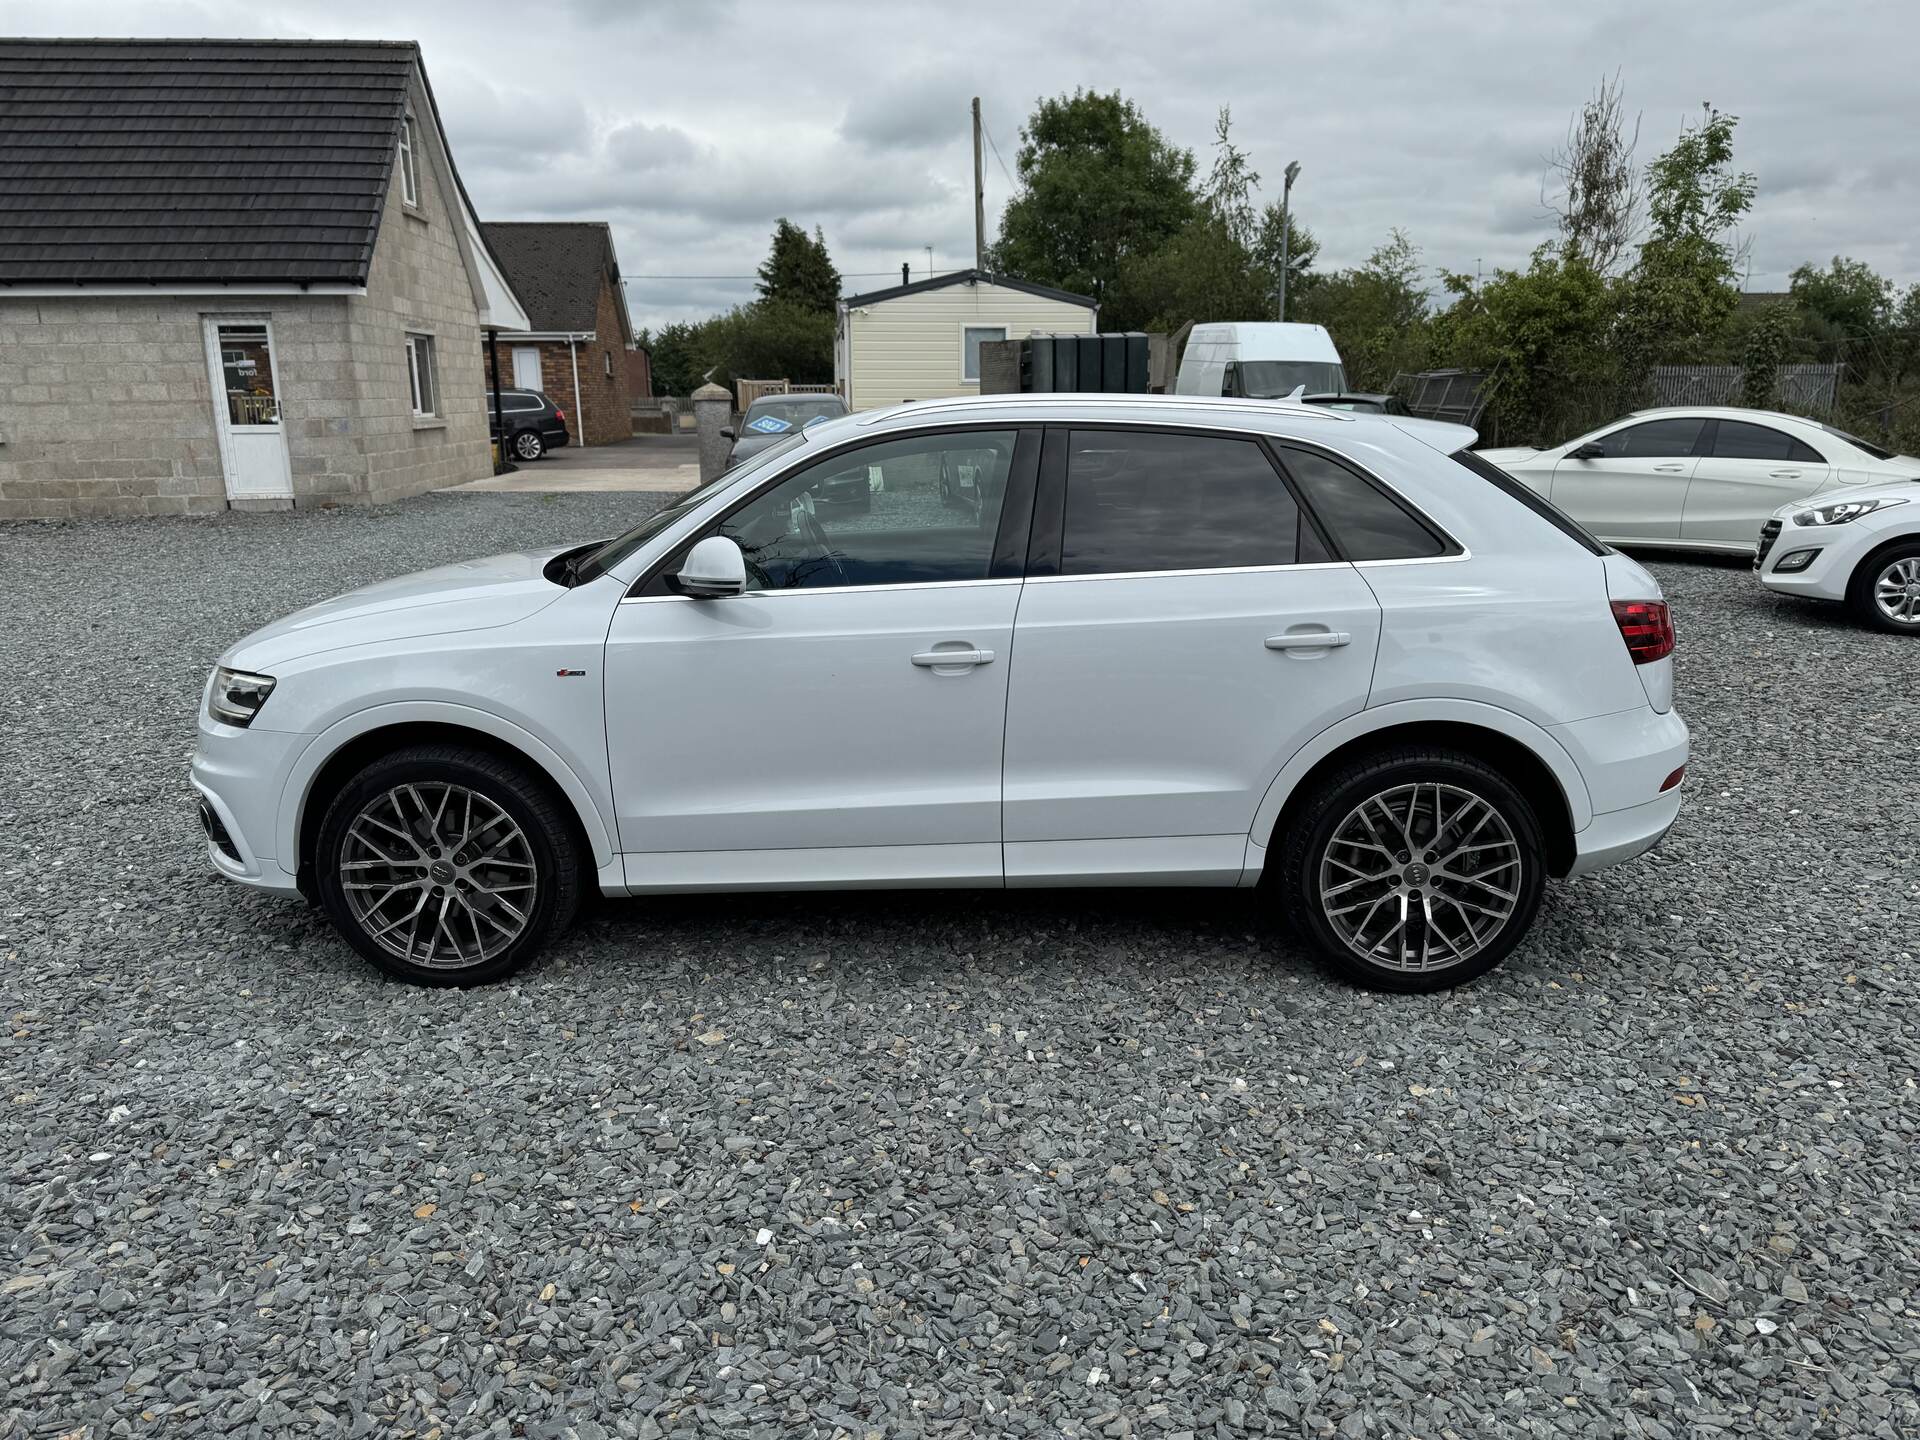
pixel 446 865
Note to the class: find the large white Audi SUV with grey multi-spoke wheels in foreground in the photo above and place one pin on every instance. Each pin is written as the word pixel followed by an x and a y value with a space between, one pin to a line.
pixel 992 642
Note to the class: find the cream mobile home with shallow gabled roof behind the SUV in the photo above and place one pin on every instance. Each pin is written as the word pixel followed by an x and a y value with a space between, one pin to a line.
pixel 921 339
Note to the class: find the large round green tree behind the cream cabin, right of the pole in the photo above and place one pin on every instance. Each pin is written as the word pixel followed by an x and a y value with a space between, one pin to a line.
pixel 1099 185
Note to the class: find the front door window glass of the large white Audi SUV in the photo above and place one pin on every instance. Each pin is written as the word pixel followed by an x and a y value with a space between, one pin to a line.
pixel 909 512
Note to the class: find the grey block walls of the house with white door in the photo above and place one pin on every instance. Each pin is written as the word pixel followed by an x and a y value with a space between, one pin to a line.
pixel 107 406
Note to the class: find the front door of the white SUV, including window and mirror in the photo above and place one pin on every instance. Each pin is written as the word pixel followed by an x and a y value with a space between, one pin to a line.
pixel 842 723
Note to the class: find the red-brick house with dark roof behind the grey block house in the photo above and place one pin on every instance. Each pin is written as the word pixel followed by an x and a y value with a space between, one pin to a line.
pixel 577 348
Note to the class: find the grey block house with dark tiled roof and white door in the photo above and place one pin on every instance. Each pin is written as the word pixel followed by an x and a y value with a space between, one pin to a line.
pixel 235 274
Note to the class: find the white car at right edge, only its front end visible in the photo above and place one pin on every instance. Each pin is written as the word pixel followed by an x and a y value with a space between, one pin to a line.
pixel 1861 548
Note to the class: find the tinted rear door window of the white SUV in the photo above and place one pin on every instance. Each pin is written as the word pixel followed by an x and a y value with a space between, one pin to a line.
pixel 1140 500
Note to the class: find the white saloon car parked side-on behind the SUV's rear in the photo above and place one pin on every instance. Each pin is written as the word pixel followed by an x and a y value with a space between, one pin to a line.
pixel 1698 479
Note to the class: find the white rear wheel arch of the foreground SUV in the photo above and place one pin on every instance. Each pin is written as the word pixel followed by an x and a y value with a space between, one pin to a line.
pixel 1537 765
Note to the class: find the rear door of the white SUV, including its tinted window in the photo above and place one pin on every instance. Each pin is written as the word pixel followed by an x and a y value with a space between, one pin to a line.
pixel 1184 629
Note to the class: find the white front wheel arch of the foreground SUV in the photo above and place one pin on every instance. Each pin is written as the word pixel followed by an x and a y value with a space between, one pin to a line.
pixel 348 748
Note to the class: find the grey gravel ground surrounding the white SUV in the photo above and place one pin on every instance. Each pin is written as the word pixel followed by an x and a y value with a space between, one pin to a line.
pixel 978 1164
